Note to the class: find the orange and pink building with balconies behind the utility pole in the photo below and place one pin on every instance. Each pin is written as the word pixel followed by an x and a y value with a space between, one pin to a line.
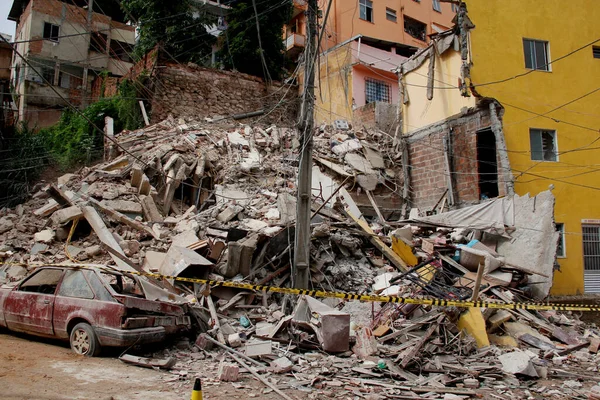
pixel 364 41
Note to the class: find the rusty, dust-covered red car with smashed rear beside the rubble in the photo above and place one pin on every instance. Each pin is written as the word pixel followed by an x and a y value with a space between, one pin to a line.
pixel 91 307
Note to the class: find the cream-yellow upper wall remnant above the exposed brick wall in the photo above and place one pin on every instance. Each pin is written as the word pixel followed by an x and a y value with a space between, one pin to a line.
pixel 420 112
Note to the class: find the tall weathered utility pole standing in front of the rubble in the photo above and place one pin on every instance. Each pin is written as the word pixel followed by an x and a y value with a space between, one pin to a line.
pixel 305 130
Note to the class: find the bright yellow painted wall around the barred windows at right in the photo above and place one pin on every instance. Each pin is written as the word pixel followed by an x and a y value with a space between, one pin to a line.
pixel 497 54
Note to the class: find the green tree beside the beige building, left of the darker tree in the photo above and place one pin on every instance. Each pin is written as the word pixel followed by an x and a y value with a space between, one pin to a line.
pixel 177 25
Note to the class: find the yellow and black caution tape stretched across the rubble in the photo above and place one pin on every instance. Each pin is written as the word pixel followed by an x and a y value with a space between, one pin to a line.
pixel 428 301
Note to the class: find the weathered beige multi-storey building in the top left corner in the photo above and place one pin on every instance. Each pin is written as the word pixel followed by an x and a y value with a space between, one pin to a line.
pixel 65 46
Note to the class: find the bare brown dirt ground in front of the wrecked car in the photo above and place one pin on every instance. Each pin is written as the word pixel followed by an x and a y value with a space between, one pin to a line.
pixel 33 368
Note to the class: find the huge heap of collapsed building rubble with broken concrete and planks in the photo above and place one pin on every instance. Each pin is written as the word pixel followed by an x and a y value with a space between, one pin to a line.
pixel 216 200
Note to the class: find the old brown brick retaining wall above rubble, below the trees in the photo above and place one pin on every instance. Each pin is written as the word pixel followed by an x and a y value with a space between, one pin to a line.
pixel 197 92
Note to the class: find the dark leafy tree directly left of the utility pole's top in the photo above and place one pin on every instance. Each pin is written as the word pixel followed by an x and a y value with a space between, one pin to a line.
pixel 241 49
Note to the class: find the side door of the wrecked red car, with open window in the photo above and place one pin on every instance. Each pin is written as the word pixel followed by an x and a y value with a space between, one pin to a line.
pixel 29 307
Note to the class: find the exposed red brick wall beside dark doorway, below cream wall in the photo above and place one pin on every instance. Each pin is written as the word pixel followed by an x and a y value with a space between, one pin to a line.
pixel 427 164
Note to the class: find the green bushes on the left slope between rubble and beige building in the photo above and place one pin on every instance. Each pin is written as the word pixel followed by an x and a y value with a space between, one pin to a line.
pixel 71 142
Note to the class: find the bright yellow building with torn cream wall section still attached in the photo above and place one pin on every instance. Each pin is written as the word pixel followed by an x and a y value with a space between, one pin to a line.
pixel 540 62
